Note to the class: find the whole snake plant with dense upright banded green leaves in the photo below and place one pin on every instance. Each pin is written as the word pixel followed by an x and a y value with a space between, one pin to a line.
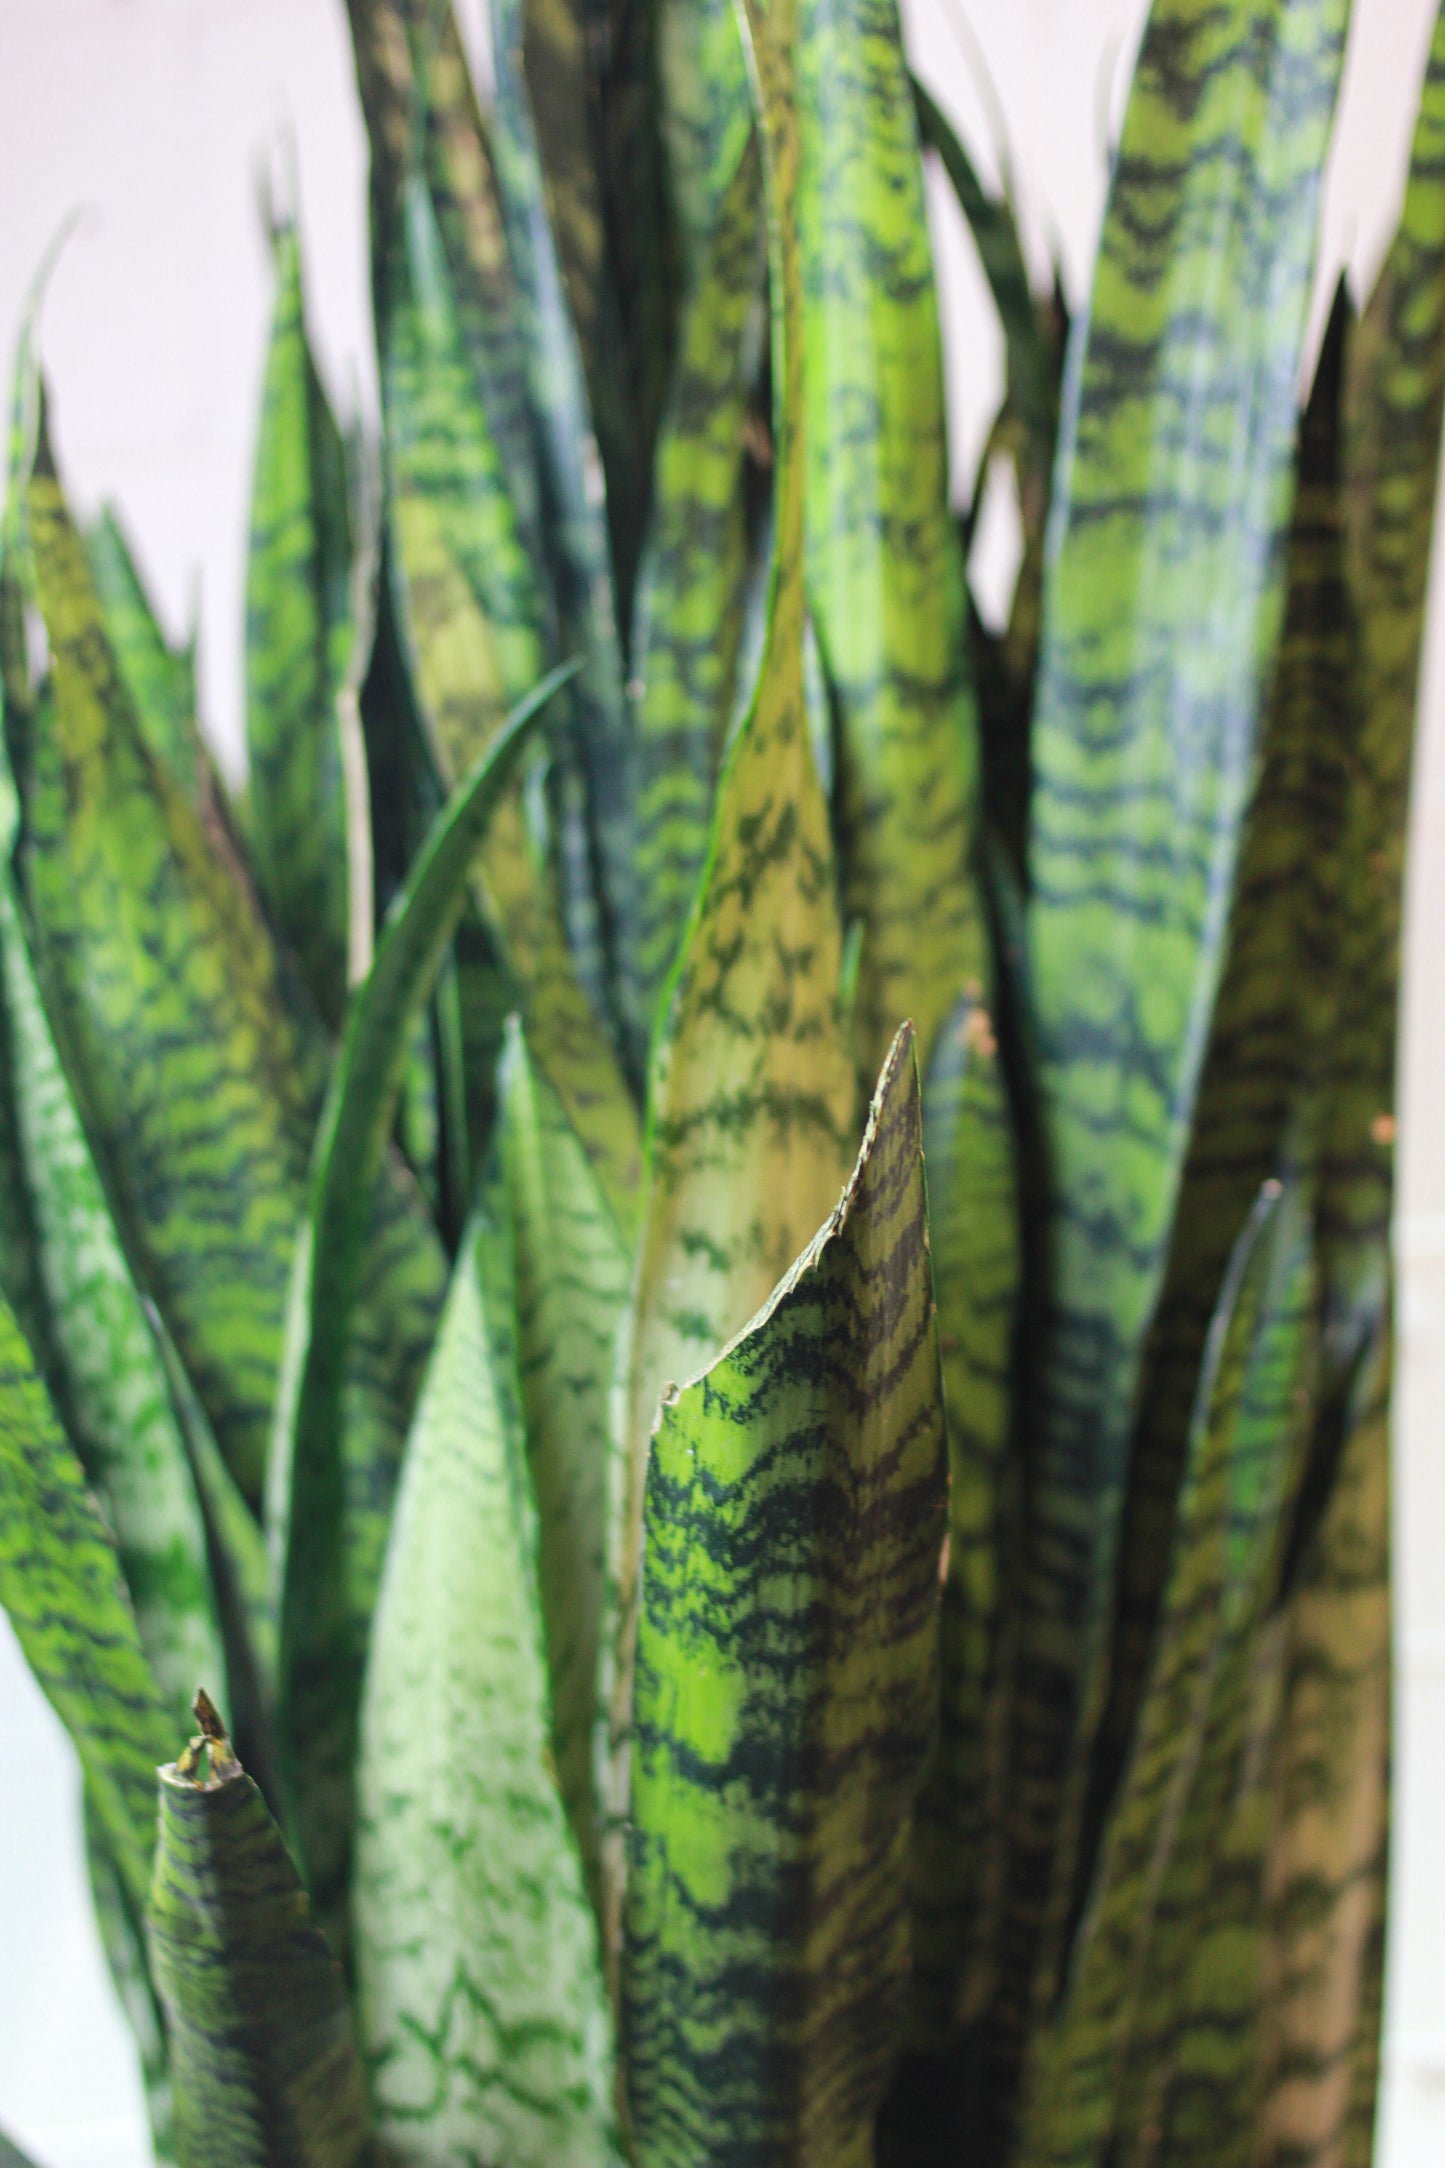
pixel 720 1261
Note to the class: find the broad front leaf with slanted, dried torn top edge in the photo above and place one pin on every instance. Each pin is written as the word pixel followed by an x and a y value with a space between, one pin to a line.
pixel 785 1692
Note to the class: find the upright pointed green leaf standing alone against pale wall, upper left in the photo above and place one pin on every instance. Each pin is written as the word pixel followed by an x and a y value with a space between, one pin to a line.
pixel 300 634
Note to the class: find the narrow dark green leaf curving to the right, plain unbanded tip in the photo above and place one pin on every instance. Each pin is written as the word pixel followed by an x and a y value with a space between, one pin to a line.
pixel 326 1590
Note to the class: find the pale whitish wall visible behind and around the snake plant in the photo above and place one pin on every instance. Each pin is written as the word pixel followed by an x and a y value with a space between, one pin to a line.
pixel 151 118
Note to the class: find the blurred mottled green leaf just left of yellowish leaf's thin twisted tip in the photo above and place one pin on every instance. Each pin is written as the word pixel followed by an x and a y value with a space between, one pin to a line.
pixel 692 584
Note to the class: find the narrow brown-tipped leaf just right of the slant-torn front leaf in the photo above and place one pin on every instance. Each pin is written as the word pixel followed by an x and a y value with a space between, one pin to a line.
pixel 978 1265
